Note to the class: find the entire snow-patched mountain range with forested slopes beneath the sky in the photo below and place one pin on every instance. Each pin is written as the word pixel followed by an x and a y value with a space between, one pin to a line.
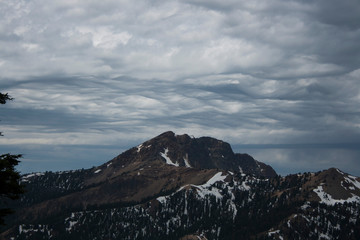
pixel 181 187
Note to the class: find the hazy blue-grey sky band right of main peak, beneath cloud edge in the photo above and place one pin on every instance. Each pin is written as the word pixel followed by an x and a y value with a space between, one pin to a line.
pixel 306 158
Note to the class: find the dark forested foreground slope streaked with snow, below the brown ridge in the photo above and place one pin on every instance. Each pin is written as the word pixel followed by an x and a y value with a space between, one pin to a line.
pixel 229 205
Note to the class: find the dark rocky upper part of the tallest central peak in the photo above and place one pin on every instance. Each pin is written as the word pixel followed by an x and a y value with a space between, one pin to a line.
pixel 189 152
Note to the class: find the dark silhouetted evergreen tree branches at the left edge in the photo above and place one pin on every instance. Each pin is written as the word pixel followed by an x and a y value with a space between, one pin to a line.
pixel 10 187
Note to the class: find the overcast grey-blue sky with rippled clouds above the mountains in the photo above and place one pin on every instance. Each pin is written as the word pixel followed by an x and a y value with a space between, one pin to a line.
pixel 277 79
